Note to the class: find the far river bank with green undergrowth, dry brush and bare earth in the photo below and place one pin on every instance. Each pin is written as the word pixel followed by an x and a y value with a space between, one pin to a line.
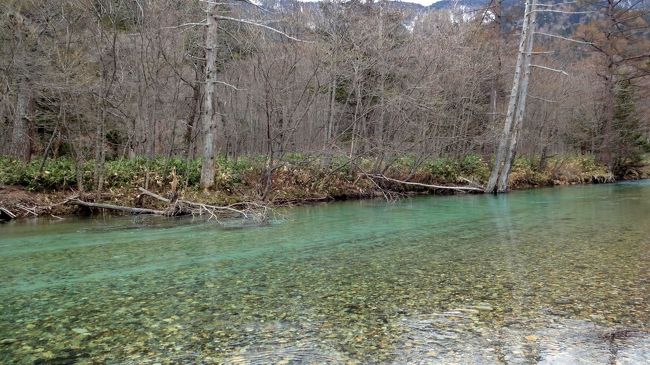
pixel 26 189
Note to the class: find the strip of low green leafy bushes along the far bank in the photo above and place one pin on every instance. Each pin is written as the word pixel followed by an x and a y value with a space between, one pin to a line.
pixel 234 174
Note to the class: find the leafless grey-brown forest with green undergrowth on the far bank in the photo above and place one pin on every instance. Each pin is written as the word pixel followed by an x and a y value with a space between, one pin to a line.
pixel 101 94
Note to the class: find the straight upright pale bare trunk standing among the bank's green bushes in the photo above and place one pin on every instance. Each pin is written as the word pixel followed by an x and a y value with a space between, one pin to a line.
pixel 209 114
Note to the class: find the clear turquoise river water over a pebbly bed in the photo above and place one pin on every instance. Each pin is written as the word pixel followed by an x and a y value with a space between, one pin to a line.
pixel 543 276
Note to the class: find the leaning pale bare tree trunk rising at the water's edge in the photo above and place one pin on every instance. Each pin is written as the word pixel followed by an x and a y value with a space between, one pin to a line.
pixel 506 135
